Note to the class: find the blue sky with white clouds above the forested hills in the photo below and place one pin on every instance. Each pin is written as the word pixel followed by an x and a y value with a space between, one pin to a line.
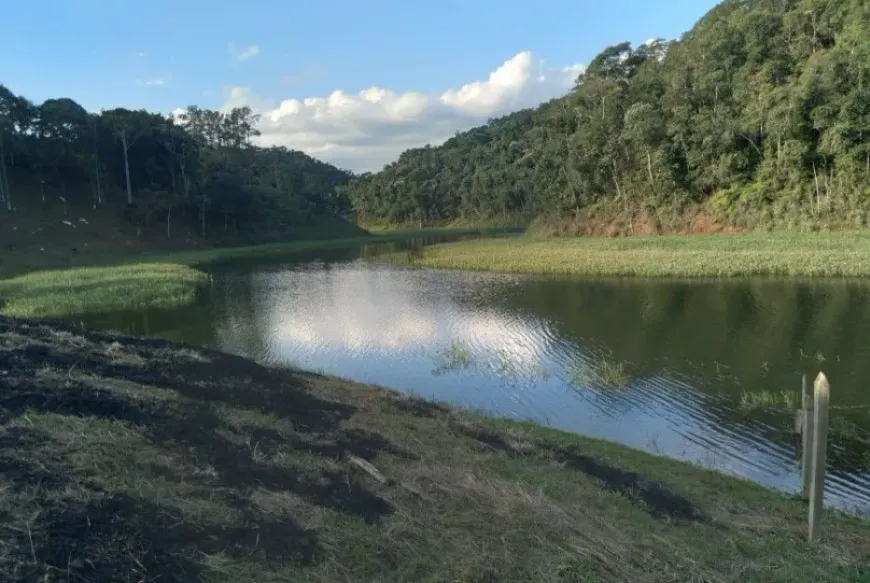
pixel 161 55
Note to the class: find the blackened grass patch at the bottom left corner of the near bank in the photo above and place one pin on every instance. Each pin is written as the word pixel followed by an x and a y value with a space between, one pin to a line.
pixel 120 538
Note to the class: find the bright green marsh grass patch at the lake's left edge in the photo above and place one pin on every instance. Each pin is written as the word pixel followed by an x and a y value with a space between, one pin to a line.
pixel 84 290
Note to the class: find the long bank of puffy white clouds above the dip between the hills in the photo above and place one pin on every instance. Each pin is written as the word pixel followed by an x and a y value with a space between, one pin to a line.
pixel 365 130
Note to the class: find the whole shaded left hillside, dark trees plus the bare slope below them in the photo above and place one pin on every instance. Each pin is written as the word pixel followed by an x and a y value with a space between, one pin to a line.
pixel 128 180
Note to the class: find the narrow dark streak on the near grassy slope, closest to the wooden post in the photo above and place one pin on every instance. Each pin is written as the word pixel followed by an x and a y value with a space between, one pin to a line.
pixel 655 498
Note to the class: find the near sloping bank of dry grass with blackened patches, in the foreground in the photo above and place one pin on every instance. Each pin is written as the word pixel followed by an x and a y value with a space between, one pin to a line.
pixel 127 459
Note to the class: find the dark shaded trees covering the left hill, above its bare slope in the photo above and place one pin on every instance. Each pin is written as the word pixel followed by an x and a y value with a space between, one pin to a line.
pixel 198 167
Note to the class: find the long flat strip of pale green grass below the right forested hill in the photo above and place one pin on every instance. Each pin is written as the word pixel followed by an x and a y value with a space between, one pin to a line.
pixel 845 254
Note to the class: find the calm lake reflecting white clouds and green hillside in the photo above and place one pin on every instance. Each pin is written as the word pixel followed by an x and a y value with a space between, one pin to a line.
pixel 704 371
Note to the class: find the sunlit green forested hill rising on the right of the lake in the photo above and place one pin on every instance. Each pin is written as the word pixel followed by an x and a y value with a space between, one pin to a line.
pixel 759 115
